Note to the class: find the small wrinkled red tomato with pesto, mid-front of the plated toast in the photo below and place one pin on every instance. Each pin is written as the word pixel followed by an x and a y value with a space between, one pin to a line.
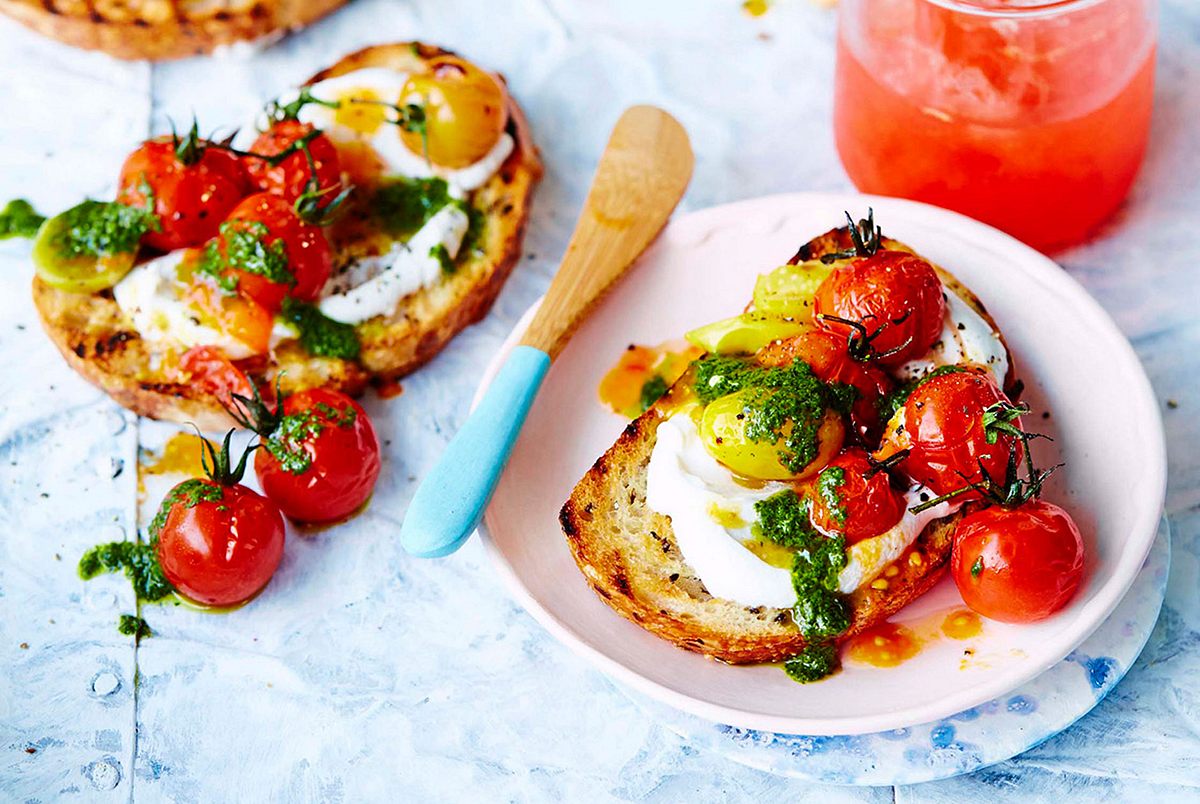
pixel 855 497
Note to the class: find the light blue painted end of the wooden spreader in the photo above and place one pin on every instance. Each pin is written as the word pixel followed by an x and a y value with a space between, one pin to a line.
pixel 451 501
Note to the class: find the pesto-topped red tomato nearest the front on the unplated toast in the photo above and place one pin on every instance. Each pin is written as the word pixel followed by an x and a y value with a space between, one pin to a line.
pixel 272 251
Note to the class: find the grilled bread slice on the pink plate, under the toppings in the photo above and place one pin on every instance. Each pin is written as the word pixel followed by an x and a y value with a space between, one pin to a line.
pixel 629 556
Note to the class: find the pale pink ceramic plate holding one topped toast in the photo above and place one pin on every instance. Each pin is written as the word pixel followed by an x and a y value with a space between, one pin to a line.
pixel 1073 359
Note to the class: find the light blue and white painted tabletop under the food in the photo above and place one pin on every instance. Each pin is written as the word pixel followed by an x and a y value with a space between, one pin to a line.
pixel 363 674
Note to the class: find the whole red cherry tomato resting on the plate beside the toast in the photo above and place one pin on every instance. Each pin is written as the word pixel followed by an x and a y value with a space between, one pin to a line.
pixel 1018 565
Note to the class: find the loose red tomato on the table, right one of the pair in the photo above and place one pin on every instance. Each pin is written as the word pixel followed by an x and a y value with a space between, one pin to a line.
pixel 322 461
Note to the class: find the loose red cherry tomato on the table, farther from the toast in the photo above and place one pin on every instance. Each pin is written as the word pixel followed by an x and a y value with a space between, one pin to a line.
pixel 219 545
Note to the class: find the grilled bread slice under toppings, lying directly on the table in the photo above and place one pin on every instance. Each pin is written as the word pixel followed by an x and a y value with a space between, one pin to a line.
pixel 103 345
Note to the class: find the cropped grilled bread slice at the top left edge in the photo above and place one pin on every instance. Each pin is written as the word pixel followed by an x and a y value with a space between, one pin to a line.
pixel 160 29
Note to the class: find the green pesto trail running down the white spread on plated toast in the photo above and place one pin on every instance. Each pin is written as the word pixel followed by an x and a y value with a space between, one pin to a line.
pixel 821 613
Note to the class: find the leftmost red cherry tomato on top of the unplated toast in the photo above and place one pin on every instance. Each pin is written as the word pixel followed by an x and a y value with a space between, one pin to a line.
pixel 190 199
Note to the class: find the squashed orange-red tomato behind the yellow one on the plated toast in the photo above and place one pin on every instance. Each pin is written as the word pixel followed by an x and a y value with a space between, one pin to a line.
pixel 827 353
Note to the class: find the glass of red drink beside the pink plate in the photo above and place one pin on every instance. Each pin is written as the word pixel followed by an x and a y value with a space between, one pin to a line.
pixel 1031 117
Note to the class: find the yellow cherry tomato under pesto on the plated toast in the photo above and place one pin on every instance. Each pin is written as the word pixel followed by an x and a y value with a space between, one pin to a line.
pixel 723 429
